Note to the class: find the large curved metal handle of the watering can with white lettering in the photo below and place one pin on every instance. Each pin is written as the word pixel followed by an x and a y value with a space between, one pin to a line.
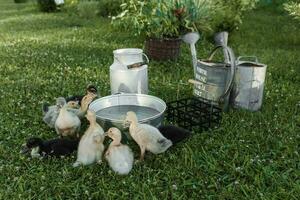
pixel 232 68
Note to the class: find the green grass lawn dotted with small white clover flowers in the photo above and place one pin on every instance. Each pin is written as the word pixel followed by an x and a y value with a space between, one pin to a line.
pixel 252 155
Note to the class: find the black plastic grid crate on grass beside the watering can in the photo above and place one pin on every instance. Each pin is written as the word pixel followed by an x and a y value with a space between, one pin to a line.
pixel 193 113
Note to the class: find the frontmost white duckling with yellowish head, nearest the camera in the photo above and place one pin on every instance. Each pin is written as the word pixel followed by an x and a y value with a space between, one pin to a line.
pixel 118 155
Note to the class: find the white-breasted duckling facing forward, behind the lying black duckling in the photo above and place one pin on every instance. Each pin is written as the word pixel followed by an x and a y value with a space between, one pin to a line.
pixel 67 122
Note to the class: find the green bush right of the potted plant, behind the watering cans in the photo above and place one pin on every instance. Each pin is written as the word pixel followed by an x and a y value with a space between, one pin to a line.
pixel 228 13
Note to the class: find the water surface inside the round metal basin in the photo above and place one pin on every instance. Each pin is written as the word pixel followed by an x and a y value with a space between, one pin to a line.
pixel 119 112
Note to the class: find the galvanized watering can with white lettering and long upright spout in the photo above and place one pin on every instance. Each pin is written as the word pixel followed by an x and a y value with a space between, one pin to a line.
pixel 213 80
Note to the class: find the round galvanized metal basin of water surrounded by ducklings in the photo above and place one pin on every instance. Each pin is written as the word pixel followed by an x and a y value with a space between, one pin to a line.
pixel 111 110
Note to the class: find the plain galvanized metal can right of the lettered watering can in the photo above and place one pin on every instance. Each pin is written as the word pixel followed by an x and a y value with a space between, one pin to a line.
pixel 248 84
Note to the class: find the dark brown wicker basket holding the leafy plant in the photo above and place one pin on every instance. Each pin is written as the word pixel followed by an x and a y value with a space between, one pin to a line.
pixel 163 49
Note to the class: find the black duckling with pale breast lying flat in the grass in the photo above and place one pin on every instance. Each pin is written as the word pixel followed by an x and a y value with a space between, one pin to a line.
pixel 55 147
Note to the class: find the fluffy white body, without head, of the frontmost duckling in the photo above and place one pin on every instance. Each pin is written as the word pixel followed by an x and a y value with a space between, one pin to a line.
pixel 120 159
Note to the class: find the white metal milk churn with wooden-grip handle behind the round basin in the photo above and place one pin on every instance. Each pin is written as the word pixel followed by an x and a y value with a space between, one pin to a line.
pixel 129 72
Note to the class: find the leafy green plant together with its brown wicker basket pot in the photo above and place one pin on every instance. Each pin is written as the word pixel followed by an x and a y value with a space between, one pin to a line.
pixel 162 22
